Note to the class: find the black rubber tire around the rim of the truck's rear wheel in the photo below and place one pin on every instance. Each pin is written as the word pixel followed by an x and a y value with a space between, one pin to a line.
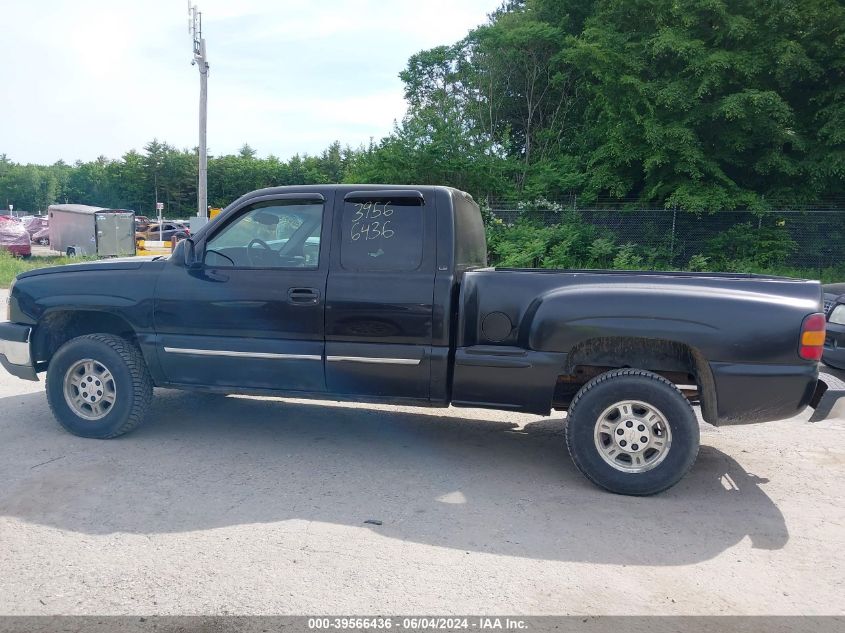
pixel 619 385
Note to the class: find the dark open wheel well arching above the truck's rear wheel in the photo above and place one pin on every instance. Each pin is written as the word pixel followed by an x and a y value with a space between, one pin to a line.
pixel 683 365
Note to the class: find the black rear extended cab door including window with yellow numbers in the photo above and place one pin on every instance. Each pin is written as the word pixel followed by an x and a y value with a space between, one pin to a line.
pixel 379 295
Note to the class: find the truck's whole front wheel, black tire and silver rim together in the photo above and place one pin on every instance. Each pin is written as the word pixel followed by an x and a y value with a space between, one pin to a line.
pixel 98 386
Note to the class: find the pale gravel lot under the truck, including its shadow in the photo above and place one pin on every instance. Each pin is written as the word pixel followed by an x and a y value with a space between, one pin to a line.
pixel 245 505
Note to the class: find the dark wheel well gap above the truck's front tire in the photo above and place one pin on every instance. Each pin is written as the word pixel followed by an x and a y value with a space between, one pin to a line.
pixel 57 328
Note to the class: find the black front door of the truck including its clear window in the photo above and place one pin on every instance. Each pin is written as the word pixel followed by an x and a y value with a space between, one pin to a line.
pixel 252 315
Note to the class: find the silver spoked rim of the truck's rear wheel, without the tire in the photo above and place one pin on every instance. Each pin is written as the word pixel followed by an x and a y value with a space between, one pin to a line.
pixel 632 436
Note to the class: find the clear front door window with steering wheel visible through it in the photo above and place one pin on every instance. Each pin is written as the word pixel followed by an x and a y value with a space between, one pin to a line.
pixel 269 235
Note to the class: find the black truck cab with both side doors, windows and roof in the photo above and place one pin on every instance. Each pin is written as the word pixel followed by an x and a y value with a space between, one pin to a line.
pixel 346 290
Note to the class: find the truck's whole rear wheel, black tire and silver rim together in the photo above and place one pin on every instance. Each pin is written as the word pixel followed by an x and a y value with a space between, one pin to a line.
pixel 632 432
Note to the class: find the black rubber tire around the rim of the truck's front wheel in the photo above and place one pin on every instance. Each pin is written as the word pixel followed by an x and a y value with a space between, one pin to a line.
pixel 132 384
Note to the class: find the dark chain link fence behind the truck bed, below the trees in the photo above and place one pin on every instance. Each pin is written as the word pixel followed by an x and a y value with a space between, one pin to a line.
pixel 802 238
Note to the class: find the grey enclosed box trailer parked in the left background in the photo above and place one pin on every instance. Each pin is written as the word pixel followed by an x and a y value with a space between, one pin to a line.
pixel 79 229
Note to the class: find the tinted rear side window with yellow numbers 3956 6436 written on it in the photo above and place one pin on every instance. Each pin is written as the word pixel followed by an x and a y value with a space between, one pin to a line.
pixel 382 234
